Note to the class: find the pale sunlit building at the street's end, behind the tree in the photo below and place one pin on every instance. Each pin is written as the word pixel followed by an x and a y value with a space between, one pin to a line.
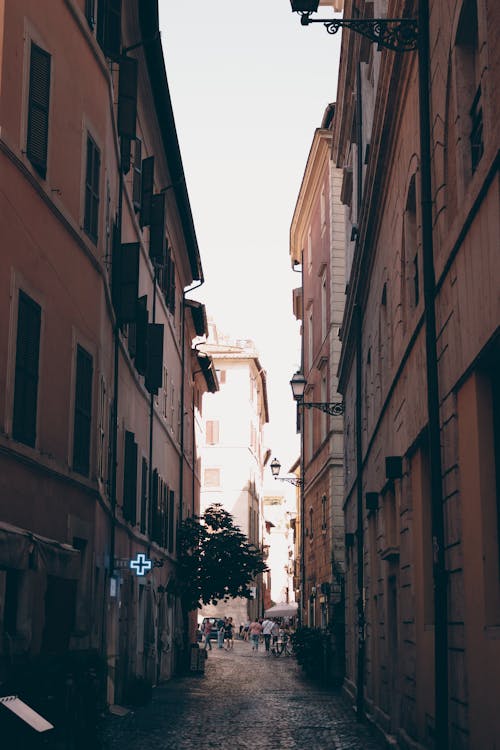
pixel 234 455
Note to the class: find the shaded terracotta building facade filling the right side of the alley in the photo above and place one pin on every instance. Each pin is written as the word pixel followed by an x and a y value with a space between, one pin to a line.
pixel 419 373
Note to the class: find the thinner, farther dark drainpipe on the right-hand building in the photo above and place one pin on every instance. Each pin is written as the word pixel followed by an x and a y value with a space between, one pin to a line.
pixel 358 316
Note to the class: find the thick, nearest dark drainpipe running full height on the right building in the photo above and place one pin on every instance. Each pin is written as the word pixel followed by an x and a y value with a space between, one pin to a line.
pixel 433 429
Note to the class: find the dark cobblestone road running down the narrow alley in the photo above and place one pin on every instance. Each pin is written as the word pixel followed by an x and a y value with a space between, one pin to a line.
pixel 244 701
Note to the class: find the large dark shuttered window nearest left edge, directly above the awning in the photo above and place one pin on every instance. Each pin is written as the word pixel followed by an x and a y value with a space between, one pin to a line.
pixel 26 376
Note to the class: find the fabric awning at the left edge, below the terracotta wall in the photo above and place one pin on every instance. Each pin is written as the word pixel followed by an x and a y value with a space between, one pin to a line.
pixel 23 550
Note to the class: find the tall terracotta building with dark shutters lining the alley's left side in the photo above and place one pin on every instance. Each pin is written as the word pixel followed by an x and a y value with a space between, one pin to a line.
pixel 98 384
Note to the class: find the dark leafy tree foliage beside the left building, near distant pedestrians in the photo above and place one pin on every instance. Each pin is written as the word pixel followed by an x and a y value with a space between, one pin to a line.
pixel 216 560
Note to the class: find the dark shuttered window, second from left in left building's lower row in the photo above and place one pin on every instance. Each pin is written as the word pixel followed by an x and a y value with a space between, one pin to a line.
pixel 83 412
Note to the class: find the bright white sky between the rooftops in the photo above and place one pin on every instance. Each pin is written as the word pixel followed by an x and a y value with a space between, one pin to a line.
pixel 249 85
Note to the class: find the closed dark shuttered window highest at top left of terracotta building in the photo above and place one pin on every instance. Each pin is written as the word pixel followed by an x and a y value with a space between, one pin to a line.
pixel 38 109
